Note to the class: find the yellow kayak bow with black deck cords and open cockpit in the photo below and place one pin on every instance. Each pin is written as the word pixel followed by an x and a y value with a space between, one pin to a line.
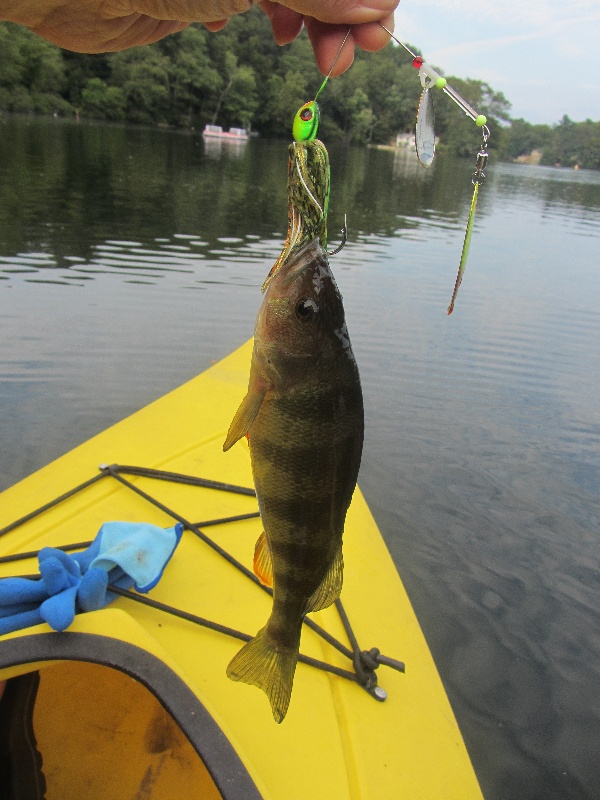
pixel 132 701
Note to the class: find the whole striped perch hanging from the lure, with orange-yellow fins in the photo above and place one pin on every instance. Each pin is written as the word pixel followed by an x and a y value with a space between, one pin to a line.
pixel 304 420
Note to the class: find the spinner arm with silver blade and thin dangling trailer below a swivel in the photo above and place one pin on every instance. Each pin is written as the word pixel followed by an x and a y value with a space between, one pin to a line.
pixel 425 141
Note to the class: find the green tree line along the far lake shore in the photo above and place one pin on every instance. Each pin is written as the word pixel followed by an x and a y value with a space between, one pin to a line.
pixel 240 77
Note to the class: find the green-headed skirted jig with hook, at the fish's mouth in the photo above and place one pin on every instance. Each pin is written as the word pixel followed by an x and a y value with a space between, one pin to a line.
pixel 308 182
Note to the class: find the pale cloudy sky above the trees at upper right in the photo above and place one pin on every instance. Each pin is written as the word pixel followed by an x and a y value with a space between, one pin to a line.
pixel 544 55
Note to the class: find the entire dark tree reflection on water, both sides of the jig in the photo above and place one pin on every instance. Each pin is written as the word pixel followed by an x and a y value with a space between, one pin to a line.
pixel 86 175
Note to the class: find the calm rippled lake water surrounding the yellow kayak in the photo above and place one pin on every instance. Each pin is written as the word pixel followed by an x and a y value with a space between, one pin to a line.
pixel 130 259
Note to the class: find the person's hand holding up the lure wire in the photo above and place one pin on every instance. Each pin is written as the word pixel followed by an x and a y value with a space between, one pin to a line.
pixel 97 26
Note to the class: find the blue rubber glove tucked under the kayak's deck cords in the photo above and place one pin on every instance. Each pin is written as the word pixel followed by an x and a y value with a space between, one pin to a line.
pixel 124 554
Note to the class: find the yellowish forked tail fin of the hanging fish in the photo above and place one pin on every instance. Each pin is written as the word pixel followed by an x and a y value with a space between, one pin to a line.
pixel 261 663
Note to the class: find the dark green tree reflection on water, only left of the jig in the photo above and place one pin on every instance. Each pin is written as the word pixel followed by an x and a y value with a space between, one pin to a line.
pixel 86 175
